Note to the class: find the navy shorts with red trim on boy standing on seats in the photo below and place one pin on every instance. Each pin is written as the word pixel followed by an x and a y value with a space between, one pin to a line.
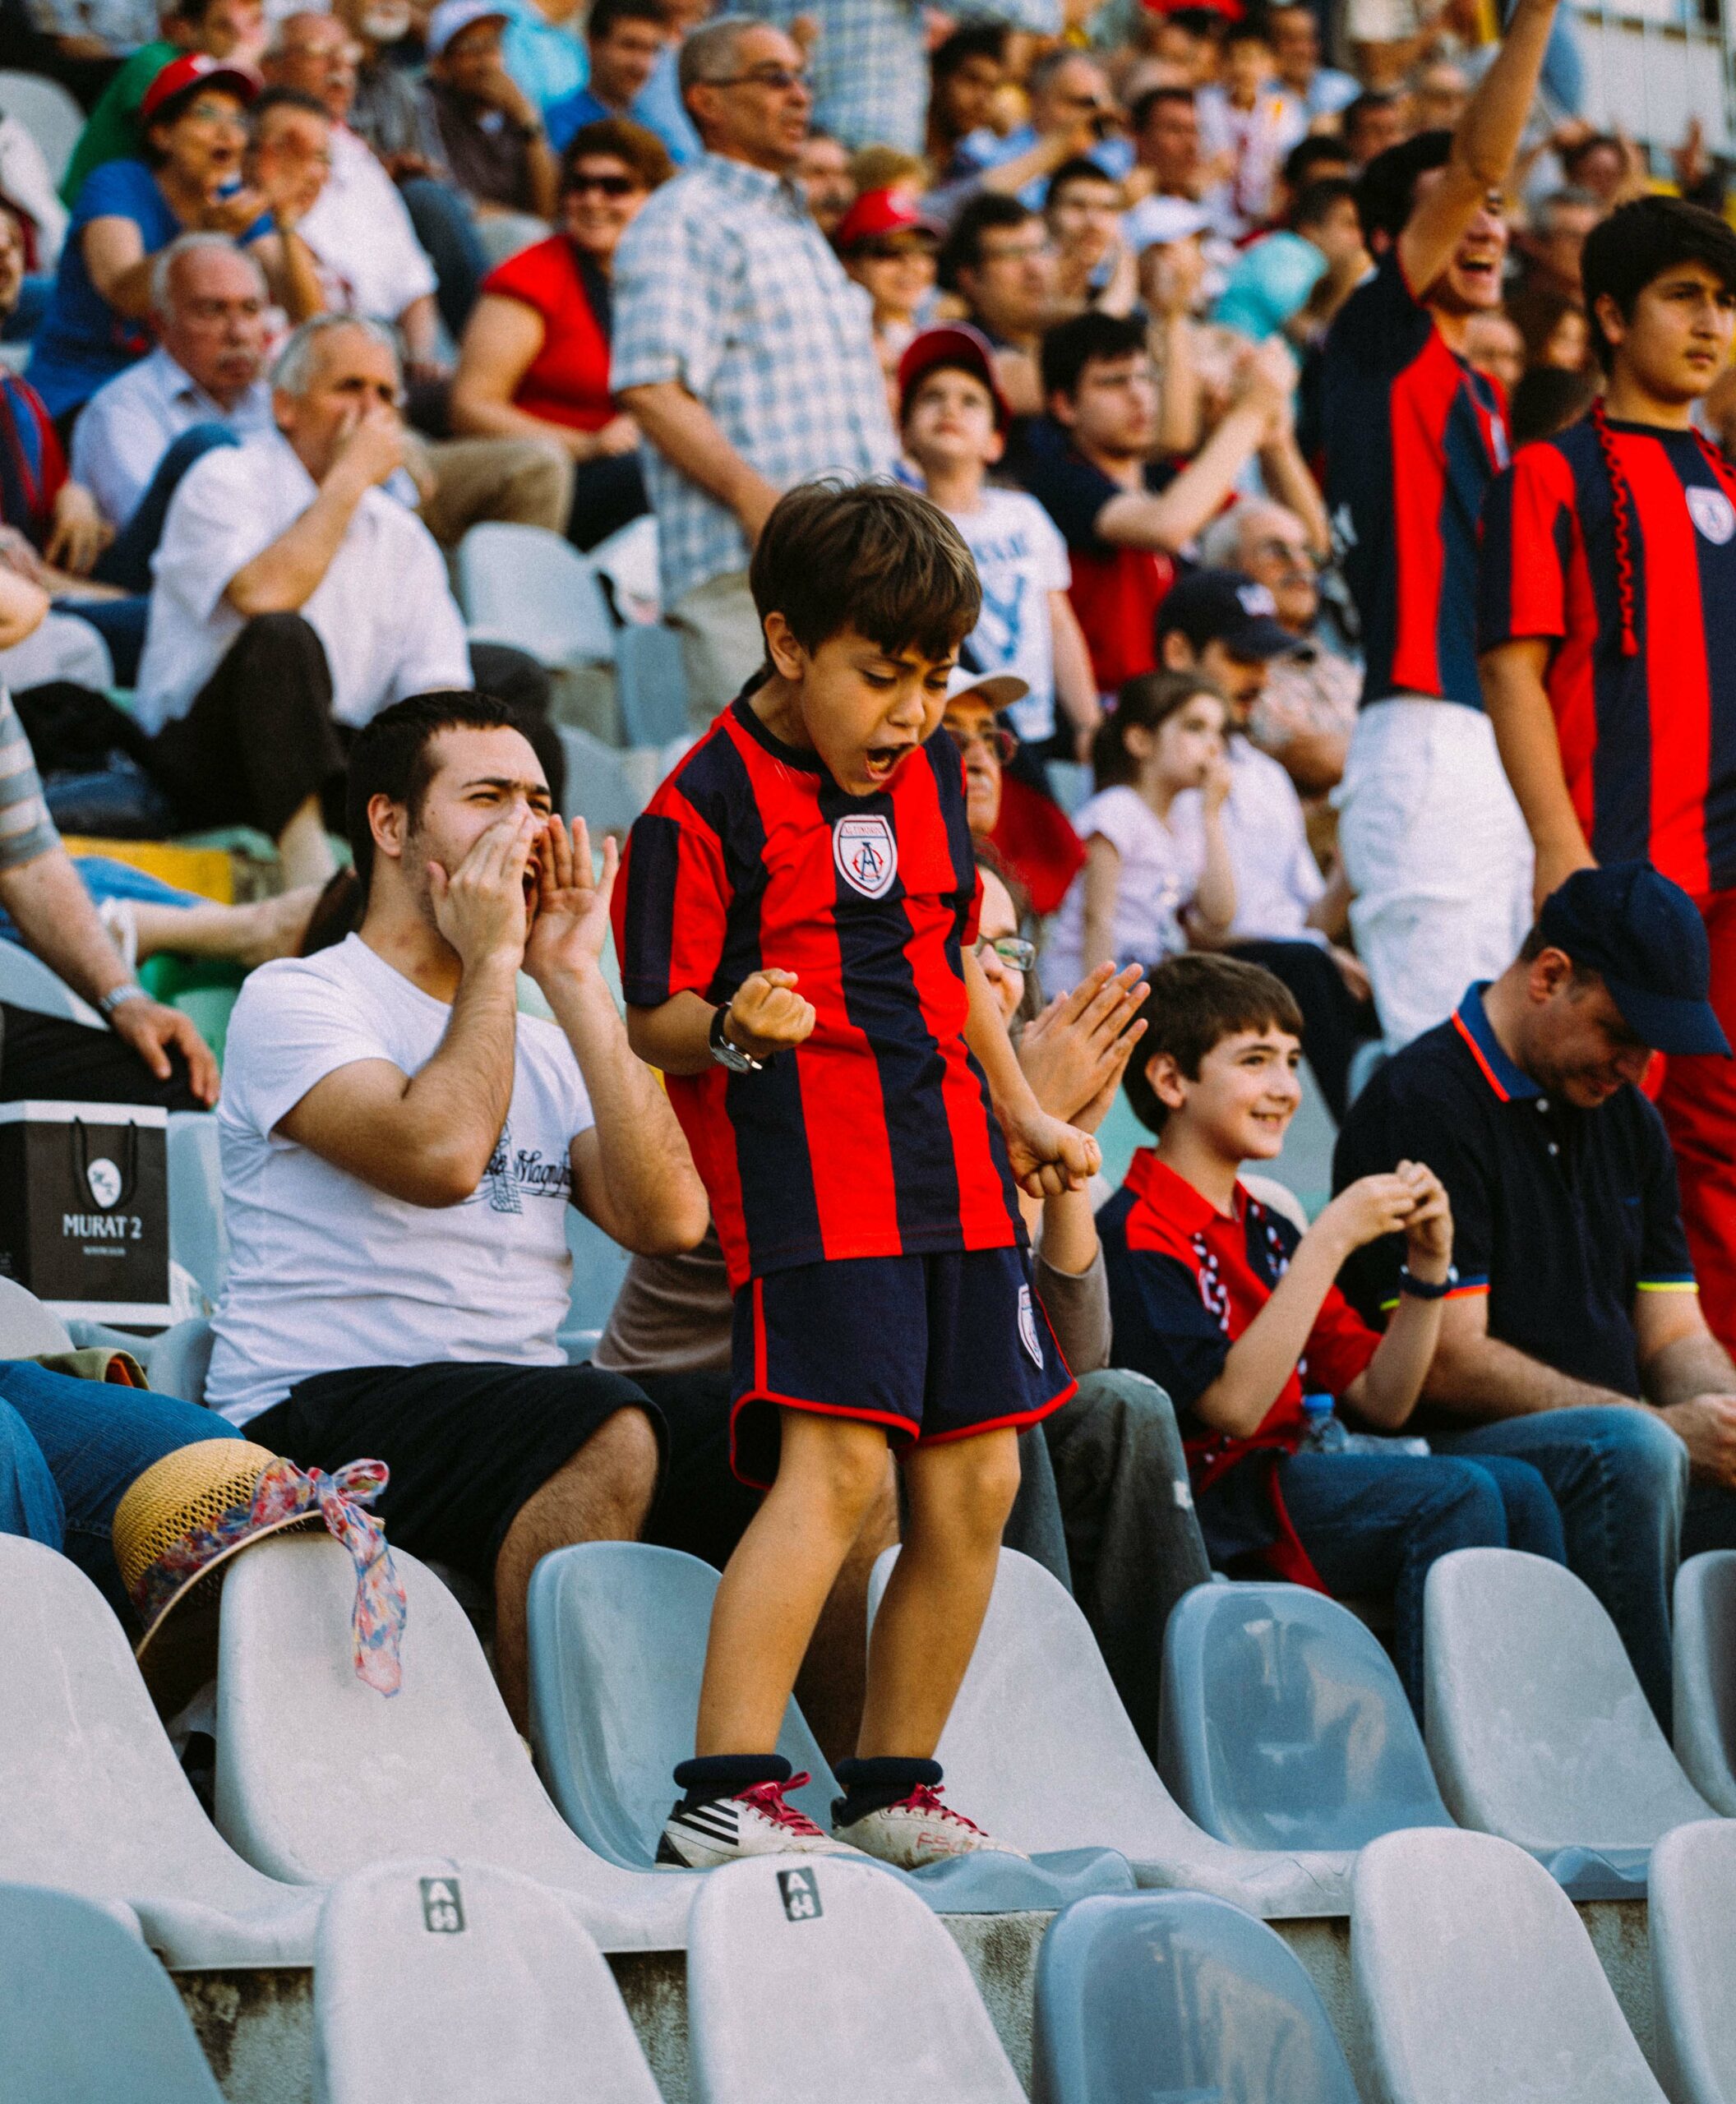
pixel 931 1348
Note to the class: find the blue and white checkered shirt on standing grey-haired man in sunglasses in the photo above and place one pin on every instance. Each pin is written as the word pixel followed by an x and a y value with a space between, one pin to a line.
pixel 727 287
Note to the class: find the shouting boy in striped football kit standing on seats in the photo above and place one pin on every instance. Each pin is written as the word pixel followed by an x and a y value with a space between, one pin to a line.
pixel 796 950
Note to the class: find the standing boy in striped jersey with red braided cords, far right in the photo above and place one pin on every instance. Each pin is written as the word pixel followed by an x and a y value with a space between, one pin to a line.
pixel 1609 634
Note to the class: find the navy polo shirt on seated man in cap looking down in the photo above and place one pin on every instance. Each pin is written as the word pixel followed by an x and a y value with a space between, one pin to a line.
pixel 1560 1215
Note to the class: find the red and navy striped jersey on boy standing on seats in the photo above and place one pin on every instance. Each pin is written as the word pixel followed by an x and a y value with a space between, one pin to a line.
pixel 874 1137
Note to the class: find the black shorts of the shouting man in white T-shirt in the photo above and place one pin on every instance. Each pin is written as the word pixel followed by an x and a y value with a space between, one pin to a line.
pixel 466 1442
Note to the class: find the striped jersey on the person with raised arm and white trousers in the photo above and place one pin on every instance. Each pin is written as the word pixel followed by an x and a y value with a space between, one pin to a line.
pixel 1413 443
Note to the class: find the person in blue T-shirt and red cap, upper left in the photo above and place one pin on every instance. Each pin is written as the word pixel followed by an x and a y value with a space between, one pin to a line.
pixel 129 211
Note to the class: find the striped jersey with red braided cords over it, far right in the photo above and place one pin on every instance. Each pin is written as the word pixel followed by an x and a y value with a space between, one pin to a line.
pixel 1649 737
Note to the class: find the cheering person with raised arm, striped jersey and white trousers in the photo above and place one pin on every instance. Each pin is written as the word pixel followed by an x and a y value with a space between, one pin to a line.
pixel 1432 841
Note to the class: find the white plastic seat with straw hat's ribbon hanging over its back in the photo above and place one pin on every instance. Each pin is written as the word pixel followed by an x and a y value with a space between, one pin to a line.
pixel 321 1777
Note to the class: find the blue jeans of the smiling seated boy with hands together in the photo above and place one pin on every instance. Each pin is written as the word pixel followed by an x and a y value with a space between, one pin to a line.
pixel 1375 1526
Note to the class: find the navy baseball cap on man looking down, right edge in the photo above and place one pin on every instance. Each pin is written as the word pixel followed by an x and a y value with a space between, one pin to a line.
pixel 1647 939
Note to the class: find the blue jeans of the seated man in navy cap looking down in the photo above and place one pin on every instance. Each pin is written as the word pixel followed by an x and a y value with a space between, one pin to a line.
pixel 1621 1482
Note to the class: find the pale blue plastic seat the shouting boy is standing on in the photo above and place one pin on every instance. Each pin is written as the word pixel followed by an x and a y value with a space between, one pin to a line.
pixel 618 1651
